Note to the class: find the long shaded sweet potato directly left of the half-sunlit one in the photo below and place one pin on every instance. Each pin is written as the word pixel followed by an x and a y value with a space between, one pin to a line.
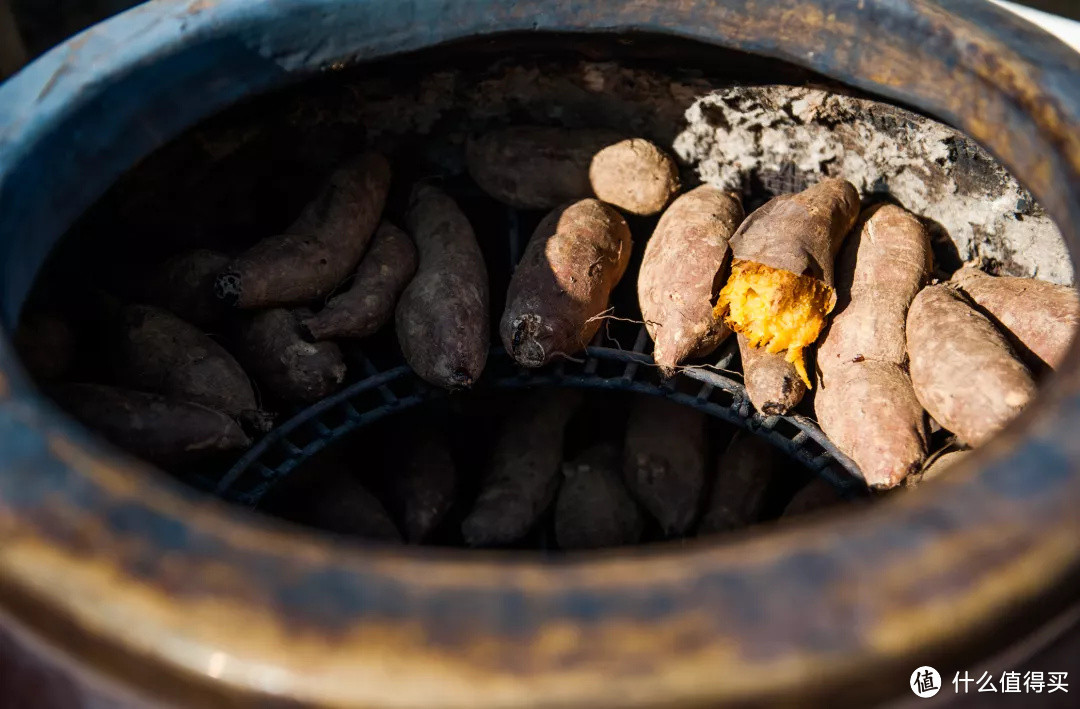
pixel 442 317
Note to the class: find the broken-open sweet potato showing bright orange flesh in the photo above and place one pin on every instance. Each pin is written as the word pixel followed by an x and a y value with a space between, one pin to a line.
pixel 780 291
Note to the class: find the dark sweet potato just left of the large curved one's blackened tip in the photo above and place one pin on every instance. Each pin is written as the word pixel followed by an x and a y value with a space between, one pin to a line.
pixel 185 286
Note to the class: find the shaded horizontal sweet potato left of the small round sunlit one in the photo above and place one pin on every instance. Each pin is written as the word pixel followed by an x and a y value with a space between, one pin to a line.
pixel 536 168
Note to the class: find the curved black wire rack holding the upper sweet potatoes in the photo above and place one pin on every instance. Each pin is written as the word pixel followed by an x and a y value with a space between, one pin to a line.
pixel 391 390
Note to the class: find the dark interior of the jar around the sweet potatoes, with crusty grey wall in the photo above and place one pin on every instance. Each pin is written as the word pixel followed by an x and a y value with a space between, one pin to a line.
pixel 755 126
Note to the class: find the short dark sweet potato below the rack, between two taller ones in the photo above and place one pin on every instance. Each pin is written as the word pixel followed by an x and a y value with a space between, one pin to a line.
pixel 595 510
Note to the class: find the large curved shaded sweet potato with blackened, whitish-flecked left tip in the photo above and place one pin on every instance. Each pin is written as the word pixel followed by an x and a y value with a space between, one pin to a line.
pixel 322 247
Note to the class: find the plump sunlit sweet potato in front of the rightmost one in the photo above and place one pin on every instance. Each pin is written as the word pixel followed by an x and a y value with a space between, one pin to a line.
pixel 965 372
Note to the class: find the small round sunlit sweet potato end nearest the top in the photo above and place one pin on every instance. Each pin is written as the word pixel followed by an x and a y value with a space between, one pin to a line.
pixel 636 177
